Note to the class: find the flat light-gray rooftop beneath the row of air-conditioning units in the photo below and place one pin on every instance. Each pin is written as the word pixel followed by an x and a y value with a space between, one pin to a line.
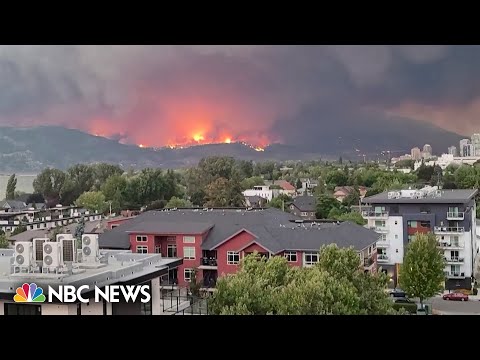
pixel 116 266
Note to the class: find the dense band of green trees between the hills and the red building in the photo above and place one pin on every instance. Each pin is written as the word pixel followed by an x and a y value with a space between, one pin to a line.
pixel 219 181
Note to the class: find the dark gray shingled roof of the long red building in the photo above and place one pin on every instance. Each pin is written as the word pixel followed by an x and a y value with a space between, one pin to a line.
pixel 275 230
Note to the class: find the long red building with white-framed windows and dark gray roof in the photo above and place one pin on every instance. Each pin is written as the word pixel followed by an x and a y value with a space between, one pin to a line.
pixel 213 241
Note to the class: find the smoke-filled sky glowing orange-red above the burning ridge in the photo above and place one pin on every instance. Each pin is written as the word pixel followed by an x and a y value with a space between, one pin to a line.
pixel 166 95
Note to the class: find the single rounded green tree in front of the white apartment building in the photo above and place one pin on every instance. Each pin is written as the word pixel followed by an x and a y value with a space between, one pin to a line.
pixel 422 272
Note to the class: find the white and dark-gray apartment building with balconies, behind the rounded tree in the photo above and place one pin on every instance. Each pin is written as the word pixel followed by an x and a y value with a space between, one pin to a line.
pixel 449 214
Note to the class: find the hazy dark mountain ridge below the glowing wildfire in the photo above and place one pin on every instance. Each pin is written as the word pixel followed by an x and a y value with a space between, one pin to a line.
pixel 29 150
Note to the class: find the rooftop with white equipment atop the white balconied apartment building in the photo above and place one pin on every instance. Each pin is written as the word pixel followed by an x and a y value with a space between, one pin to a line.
pixel 426 195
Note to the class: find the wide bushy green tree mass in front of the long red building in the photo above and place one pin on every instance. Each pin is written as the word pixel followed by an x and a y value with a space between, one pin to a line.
pixel 336 285
